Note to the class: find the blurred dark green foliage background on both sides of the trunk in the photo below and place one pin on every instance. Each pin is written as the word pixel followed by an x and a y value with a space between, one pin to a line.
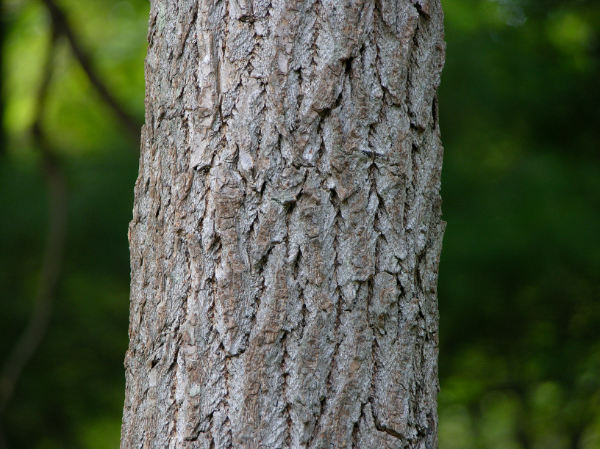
pixel 519 286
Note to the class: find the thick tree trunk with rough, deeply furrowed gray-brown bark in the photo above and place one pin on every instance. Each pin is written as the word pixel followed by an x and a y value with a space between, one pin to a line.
pixel 286 229
